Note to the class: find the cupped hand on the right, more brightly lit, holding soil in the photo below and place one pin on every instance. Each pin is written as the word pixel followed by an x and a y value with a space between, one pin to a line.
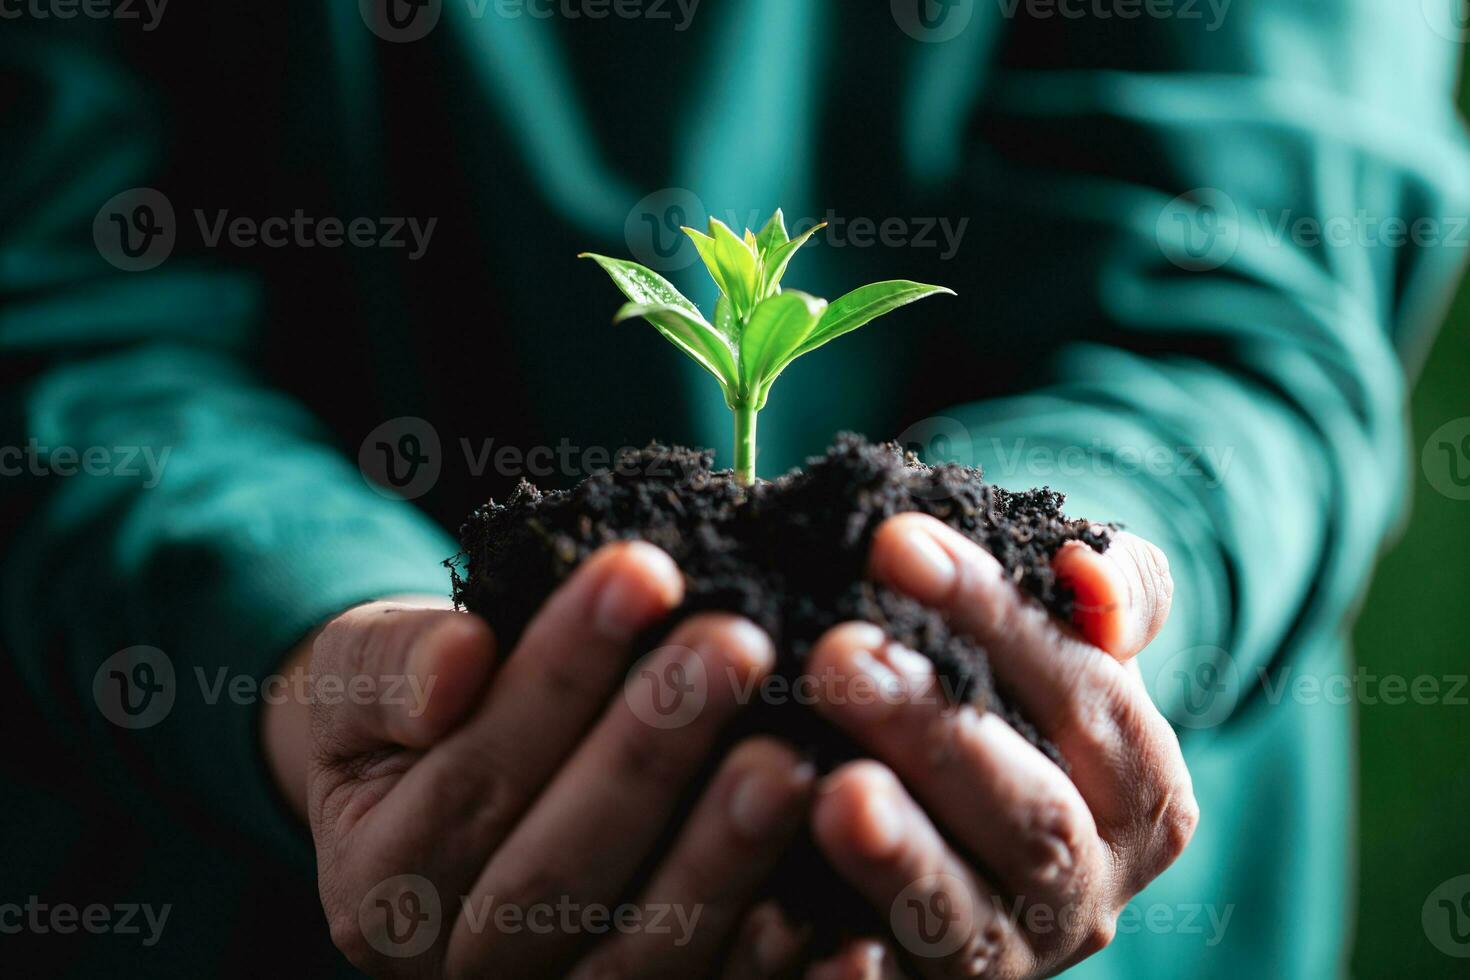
pixel 984 856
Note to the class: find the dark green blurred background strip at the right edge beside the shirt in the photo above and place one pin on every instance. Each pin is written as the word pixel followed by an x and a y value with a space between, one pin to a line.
pixel 1416 760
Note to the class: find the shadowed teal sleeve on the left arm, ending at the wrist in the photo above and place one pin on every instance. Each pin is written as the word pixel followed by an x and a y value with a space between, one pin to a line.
pixel 214 521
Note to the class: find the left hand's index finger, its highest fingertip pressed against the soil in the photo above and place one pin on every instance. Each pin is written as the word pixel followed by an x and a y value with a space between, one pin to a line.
pixel 478 782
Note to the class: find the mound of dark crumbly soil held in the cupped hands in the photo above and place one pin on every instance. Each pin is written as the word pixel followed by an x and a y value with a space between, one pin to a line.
pixel 790 555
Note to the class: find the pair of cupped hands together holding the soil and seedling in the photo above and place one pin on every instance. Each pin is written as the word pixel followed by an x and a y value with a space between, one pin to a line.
pixel 505 822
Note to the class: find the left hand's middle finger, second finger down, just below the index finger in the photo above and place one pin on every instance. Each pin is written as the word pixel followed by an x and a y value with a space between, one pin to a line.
pixel 621 785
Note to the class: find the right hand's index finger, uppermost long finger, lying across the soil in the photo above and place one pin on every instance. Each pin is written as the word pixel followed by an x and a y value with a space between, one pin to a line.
pixel 1124 754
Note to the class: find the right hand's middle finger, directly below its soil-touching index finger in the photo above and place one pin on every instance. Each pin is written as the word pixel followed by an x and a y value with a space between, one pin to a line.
pixel 1037 837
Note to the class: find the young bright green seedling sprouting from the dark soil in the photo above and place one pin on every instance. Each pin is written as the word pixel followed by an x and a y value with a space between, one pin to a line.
pixel 759 328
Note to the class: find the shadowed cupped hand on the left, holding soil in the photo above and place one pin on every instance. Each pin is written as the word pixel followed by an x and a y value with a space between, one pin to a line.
pixel 498 825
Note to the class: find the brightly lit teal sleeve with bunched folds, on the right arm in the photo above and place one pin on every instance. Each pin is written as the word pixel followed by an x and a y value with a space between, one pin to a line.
pixel 1243 233
